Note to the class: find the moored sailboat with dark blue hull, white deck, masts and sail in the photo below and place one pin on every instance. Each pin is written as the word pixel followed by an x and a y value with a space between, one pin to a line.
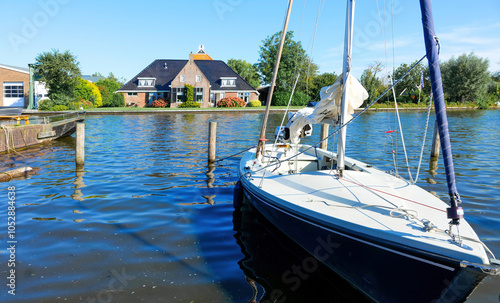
pixel 386 236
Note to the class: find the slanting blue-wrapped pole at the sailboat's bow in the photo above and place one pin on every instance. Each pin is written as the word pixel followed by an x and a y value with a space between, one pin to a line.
pixel 431 46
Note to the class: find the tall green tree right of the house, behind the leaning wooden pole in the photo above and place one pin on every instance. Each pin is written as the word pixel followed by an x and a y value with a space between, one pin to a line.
pixel 294 60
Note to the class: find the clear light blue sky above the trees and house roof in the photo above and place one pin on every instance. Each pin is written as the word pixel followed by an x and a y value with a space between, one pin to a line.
pixel 123 37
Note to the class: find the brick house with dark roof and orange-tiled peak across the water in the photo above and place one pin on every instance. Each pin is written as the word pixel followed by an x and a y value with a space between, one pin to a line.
pixel 213 80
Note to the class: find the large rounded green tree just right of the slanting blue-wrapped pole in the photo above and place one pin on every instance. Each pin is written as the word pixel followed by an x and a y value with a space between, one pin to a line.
pixel 465 78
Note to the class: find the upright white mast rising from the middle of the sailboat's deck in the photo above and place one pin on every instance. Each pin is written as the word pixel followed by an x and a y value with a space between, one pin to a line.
pixel 346 70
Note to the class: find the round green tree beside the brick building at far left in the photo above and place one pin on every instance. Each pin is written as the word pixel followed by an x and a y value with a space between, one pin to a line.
pixel 59 71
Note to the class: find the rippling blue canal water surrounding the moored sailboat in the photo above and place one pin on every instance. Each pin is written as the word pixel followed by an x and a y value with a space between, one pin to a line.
pixel 144 222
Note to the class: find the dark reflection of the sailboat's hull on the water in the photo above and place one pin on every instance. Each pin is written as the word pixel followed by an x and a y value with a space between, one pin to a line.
pixel 281 267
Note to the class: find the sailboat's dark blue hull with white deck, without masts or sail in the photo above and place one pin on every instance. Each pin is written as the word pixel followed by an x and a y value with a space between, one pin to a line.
pixel 349 227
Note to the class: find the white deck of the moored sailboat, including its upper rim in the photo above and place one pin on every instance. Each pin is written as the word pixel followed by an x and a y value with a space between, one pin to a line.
pixel 367 201
